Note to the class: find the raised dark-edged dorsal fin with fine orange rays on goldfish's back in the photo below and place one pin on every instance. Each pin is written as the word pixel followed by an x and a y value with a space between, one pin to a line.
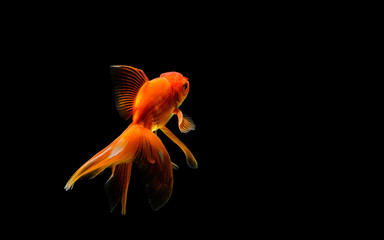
pixel 127 82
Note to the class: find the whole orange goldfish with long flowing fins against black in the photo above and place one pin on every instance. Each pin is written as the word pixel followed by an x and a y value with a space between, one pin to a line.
pixel 150 104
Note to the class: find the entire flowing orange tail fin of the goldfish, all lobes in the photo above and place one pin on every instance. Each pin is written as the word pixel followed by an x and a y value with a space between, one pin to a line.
pixel 135 144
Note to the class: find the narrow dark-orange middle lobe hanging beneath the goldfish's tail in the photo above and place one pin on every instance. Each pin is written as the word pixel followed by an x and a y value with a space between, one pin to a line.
pixel 117 186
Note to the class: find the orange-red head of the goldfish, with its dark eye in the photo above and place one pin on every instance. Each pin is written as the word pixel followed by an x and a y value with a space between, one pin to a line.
pixel 179 84
